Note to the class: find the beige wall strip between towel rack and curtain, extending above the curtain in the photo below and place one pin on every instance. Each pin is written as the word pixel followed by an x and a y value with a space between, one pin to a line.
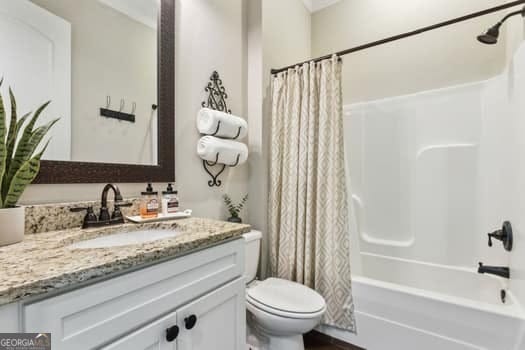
pixel 278 34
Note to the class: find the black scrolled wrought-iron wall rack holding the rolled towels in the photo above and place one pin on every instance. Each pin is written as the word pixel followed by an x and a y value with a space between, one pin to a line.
pixel 217 100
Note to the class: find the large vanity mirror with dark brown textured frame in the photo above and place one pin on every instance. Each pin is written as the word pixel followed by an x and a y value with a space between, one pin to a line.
pixel 108 68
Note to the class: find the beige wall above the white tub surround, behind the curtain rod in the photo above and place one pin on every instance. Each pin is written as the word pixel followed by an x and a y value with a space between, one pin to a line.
pixel 439 58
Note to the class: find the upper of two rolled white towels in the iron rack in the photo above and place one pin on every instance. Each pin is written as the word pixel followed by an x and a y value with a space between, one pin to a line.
pixel 208 120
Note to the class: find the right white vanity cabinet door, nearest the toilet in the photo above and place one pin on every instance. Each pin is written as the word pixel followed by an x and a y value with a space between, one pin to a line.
pixel 216 321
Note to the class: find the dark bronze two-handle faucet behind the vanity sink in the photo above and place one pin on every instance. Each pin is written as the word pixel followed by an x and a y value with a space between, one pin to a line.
pixel 104 218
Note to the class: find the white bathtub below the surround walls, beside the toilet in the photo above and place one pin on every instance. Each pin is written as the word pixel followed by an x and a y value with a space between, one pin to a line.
pixel 409 305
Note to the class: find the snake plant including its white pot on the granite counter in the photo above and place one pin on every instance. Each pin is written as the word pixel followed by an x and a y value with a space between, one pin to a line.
pixel 20 154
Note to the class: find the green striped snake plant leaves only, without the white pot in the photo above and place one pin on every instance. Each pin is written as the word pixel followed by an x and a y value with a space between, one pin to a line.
pixel 19 154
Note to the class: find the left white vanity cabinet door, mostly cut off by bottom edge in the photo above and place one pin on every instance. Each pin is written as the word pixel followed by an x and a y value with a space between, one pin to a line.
pixel 150 337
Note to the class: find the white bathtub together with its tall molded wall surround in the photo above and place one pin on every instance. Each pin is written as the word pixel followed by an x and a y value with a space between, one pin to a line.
pixel 433 172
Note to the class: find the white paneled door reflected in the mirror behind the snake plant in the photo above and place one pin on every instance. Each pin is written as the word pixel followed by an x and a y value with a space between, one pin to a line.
pixel 35 61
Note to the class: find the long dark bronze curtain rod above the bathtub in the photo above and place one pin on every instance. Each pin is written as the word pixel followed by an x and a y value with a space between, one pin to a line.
pixel 407 34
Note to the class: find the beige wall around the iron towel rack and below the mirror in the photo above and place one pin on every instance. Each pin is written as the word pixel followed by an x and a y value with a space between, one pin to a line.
pixel 210 35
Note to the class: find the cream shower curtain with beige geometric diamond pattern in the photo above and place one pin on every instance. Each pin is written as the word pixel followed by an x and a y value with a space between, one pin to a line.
pixel 308 216
